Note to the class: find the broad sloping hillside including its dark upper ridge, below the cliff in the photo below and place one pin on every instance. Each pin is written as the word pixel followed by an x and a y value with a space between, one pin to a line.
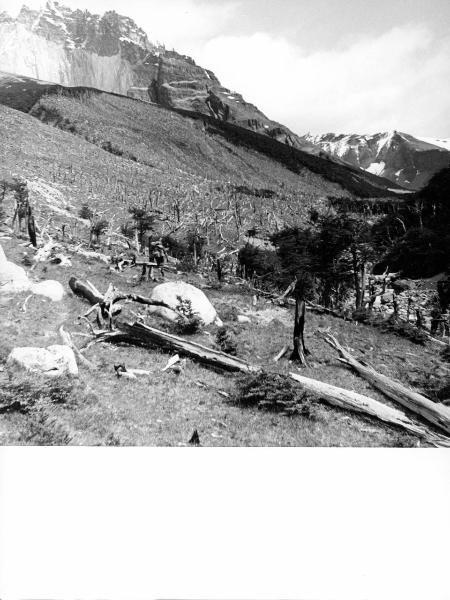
pixel 178 156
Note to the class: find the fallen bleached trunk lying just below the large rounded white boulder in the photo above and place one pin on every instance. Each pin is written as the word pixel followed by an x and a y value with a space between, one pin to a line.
pixel 137 333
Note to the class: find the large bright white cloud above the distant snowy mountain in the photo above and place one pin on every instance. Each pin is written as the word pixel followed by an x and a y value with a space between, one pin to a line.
pixel 399 80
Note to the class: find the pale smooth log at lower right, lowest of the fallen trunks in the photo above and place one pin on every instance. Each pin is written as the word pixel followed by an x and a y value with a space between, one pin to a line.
pixel 365 405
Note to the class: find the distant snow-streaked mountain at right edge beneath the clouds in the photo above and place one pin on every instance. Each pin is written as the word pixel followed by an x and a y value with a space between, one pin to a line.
pixel 400 157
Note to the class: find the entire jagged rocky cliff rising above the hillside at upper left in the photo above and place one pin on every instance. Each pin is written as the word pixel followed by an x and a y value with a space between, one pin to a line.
pixel 111 53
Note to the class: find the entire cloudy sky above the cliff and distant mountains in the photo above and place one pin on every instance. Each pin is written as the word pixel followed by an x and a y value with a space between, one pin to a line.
pixel 314 65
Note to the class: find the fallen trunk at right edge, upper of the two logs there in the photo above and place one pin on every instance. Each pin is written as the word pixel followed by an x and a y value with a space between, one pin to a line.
pixel 435 413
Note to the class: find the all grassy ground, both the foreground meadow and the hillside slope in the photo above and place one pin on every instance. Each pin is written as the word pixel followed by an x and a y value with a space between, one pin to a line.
pixel 176 162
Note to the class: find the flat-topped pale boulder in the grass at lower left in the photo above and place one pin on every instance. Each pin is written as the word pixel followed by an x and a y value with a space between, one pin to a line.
pixel 53 361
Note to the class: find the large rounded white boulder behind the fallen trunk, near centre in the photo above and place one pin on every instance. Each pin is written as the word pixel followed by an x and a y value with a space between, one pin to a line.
pixel 169 292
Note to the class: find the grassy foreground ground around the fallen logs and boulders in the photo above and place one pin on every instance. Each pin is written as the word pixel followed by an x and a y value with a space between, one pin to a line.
pixel 165 409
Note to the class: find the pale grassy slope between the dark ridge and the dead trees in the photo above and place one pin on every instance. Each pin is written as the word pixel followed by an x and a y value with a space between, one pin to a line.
pixel 180 162
